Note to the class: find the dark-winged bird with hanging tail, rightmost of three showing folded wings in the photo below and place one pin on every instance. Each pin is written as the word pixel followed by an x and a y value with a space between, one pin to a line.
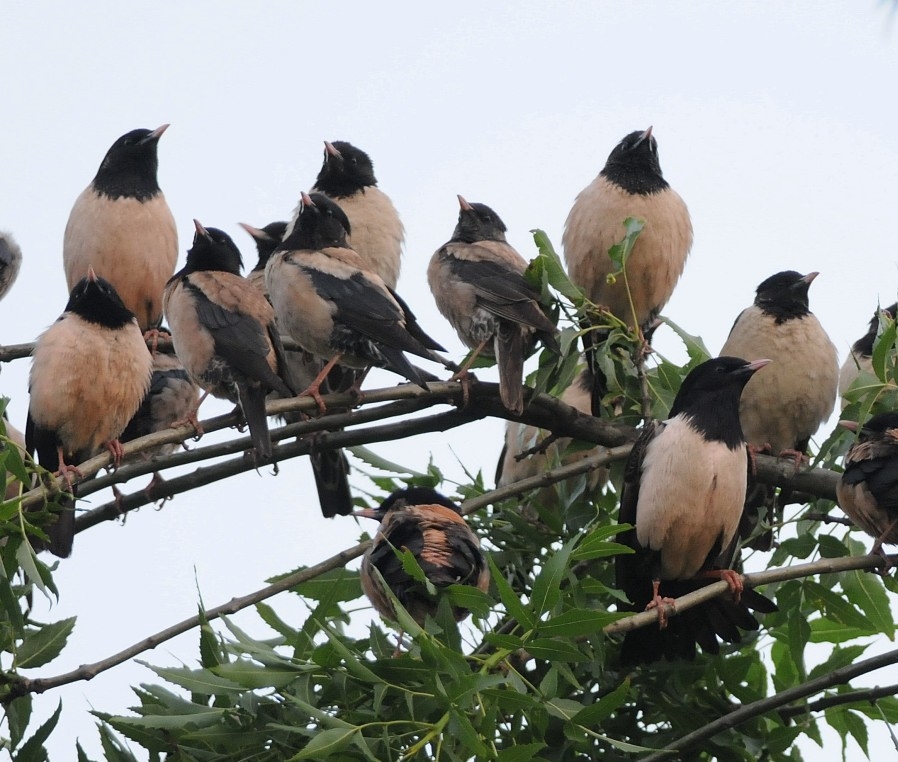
pixel 477 280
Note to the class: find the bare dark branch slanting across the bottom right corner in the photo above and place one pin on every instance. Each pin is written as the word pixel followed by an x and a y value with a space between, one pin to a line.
pixel 765 705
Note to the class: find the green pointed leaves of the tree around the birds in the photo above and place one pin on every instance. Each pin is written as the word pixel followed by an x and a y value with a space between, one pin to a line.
pixel 532 675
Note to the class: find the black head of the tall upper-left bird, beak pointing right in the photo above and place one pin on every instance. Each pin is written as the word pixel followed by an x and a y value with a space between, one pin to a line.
pixel 129 167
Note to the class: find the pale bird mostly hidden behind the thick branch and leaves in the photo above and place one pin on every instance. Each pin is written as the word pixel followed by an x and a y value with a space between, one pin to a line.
pixel 520 438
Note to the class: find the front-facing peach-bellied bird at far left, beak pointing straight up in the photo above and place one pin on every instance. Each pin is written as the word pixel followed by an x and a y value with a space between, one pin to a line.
pixel 89 372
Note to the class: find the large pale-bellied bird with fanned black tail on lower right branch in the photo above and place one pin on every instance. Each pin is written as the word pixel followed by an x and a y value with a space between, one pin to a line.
pixel 684 487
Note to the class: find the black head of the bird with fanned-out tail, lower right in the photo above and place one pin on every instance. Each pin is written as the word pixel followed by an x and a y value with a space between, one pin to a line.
pixel 710 394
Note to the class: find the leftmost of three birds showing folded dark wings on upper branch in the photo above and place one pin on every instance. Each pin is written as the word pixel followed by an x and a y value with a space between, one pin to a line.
pixel 224 333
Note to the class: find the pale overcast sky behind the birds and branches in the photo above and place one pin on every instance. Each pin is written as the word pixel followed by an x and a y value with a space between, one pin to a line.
pixel 775 122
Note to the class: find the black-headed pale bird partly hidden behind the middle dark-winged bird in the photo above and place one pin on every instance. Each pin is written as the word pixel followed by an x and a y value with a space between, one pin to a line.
pixel 347 176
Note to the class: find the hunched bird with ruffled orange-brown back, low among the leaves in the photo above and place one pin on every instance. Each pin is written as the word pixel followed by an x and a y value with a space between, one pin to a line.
pixel 431 527
